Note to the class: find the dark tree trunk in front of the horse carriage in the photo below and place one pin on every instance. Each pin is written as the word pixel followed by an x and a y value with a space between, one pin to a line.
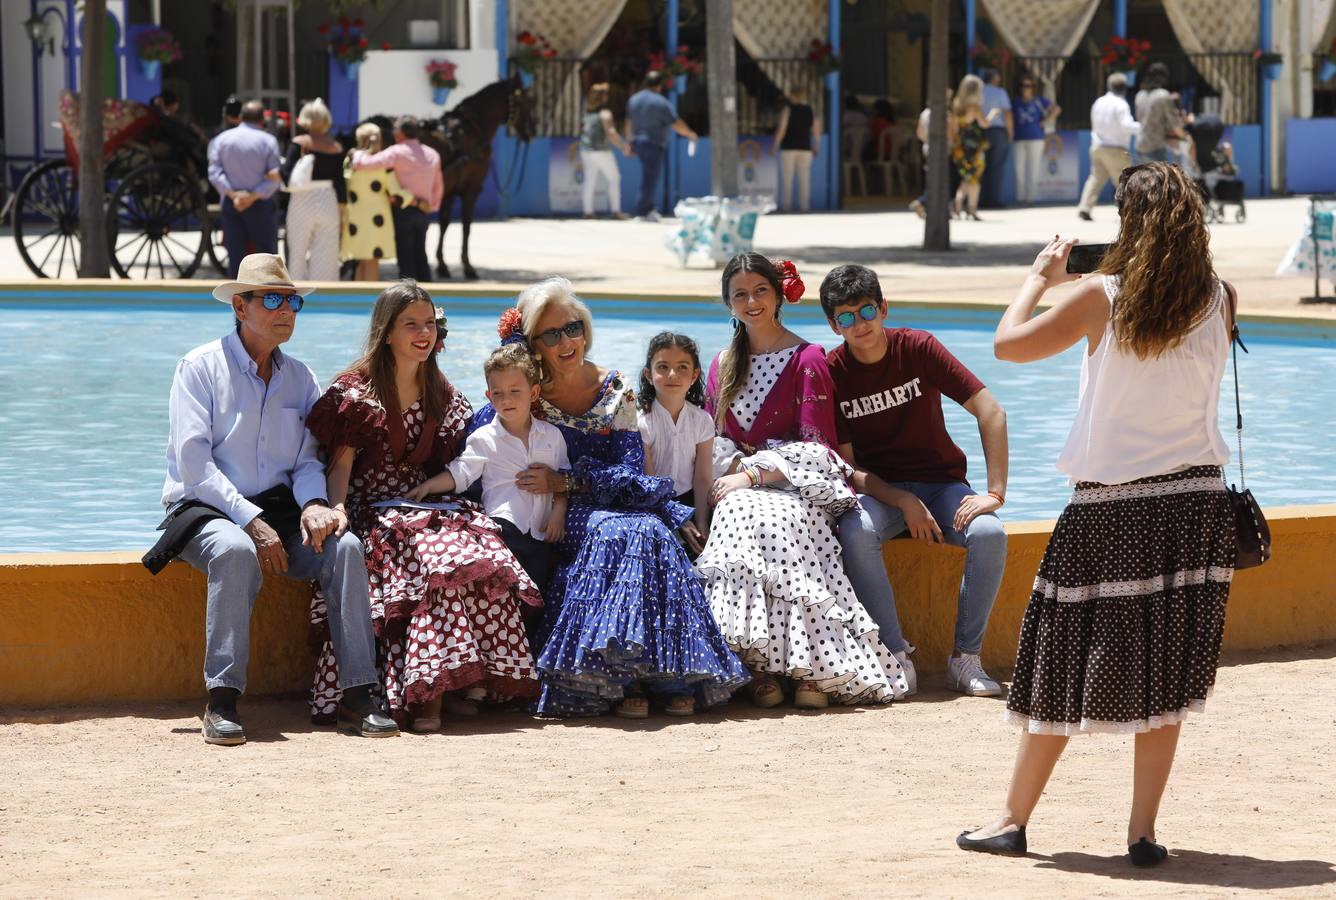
pixel 93 169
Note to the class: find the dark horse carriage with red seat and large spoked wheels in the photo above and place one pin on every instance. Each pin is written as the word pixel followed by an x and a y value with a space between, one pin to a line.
pixel 158 222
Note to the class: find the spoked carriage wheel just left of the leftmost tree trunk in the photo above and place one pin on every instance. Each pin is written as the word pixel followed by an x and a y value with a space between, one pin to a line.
pixel 46 221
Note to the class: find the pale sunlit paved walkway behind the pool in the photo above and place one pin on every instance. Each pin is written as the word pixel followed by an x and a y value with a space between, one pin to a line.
pixel 987 265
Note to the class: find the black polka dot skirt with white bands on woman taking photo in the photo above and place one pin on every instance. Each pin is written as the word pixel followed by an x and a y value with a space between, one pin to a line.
pixel 1124 626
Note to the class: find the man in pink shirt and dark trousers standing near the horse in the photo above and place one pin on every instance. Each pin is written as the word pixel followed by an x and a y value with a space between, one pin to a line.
pixel 419 172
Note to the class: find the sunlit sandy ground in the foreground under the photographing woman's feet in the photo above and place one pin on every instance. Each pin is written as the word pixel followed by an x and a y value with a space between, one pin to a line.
pixel 735 803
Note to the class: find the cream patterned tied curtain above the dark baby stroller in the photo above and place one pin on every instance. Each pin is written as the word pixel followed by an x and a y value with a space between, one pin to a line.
pixel 1220 27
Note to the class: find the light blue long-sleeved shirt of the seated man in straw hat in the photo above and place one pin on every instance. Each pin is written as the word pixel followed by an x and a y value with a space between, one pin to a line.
pixel 232 436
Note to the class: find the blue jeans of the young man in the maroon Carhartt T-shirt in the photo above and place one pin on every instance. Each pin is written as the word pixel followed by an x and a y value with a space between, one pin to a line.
pixel 864 531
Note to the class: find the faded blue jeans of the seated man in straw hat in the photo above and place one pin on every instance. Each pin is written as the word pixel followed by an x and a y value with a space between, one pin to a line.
pixel 226 555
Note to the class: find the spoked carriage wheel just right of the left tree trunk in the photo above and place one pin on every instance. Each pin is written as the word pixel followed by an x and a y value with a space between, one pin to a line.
pixel 157 224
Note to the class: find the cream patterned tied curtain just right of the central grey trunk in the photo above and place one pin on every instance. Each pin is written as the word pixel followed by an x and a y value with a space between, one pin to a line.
pixel 782 30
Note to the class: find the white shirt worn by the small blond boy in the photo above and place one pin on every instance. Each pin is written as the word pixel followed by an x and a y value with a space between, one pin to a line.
pixel 498 457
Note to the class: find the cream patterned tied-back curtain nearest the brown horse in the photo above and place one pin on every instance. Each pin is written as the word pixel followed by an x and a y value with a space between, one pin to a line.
pixel 574 29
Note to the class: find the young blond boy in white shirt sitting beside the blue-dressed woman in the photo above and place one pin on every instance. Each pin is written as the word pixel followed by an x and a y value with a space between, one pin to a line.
pixel 499 452
